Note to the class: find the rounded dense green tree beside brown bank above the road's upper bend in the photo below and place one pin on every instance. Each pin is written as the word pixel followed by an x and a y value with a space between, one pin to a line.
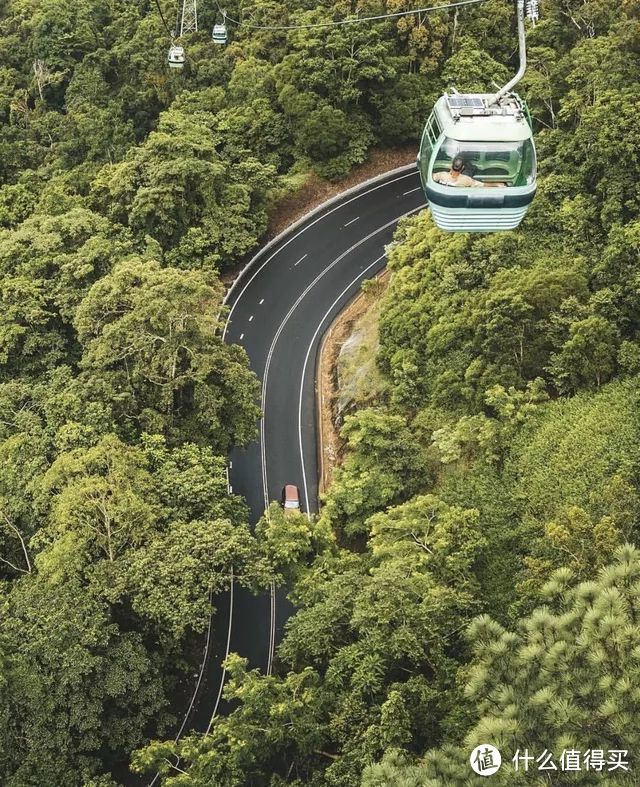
pixel 181 191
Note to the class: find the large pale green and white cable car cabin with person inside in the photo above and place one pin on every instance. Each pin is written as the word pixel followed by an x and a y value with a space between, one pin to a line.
pixel 478 163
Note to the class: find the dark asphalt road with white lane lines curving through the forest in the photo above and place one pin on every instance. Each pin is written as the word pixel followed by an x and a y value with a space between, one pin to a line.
pixel 278 312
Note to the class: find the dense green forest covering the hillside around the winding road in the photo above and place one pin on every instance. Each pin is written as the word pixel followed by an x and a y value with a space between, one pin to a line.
pixel 496 468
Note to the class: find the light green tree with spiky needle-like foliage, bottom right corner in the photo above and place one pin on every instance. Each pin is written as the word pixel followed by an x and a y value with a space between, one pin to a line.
pixel 518 682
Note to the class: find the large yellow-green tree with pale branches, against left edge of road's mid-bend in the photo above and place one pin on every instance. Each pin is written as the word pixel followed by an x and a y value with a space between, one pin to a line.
pixel 152 333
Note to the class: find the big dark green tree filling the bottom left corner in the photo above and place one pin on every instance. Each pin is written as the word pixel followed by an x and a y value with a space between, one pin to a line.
pixel 81 690
